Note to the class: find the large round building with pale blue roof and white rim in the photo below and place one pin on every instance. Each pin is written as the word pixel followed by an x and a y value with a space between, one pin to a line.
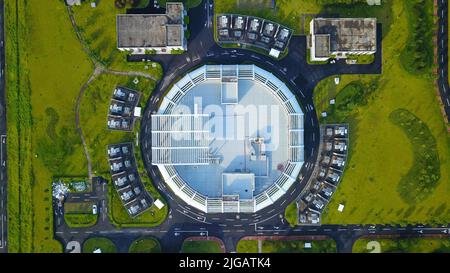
pixel 228 138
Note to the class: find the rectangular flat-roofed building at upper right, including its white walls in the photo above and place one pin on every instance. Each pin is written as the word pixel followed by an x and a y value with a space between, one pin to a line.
pixel 342 37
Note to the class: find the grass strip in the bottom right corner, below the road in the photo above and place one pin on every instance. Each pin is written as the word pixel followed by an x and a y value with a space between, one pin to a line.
pixel 402 245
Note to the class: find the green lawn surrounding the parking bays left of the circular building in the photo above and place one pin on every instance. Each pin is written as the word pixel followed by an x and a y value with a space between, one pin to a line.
pixel 93 113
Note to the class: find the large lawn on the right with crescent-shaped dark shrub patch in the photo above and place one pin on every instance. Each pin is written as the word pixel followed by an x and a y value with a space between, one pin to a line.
pixel 382 156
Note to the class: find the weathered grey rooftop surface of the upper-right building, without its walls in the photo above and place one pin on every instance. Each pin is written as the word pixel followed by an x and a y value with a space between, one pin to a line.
pixel 346 34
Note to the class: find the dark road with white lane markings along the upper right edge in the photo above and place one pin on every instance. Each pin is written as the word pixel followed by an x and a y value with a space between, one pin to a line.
pixel 444 88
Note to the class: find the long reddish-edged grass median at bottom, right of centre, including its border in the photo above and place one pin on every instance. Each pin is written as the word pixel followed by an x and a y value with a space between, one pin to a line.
pixel 286 244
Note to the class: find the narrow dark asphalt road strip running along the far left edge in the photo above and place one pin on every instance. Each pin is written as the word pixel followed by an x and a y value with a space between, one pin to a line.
pixel 3 178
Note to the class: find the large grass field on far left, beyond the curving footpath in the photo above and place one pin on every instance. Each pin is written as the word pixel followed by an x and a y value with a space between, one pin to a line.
pixel 42 142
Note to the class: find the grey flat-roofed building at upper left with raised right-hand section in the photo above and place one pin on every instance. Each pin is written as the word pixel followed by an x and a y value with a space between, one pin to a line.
pixel 159 32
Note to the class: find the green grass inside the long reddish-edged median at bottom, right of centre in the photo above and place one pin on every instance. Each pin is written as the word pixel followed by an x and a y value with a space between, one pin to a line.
pixel 287 246
